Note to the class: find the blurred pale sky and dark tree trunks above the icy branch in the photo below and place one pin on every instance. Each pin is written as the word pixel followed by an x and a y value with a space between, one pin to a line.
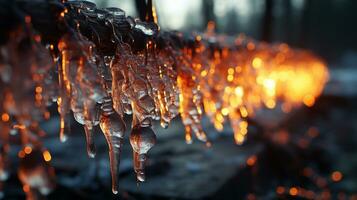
pixel 325 26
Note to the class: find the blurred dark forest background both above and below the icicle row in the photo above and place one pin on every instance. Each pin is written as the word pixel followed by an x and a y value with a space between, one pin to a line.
pixel 310 153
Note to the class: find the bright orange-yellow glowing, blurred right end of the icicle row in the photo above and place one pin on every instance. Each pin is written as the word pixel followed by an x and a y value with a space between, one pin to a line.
pixel 235 82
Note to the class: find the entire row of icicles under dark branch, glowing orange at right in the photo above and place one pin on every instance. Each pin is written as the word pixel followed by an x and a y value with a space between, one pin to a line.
pixel 226 81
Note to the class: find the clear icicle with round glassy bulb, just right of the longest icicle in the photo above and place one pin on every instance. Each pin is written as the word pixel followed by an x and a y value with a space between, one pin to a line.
pixel 142 139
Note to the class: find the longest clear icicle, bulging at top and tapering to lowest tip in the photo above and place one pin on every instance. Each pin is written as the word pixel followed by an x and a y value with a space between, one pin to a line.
pixel 113 128
